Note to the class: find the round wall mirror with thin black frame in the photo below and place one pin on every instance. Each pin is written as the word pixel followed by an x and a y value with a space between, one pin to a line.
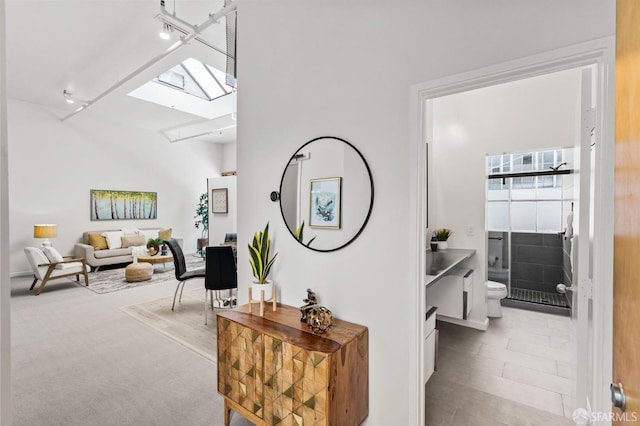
pixel 326 194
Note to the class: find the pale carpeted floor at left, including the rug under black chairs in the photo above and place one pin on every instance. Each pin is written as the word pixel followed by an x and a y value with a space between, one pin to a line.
pixel 78 359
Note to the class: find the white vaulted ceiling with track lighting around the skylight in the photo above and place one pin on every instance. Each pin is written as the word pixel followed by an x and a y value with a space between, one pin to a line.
pixel 100 50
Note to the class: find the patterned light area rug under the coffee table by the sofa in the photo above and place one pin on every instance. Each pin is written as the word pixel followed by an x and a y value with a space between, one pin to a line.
pixel 110 280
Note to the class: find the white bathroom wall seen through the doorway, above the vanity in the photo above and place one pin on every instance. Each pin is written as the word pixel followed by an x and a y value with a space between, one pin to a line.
pixel 531 114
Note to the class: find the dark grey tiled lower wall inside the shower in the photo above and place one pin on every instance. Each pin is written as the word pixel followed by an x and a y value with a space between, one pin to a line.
pixel 537 261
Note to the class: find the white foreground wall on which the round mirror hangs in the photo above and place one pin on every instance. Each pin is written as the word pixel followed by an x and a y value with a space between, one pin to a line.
pixel 345 69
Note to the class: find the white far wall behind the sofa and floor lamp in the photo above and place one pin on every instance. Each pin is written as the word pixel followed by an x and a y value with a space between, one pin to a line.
pixel 54 164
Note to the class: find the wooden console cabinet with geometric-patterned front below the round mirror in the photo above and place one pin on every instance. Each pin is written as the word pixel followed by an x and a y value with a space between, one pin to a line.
pixel 273 370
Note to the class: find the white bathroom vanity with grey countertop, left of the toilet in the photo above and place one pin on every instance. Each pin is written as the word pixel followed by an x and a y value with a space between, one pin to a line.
pixel 448 294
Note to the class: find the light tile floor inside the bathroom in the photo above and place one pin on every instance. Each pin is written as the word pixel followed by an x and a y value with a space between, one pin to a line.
pixel 518 372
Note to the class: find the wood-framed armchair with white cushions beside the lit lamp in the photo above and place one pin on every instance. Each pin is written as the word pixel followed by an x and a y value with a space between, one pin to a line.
pixel 45 270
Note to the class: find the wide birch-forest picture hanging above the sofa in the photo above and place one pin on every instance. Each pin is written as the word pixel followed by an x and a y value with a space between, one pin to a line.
pixel 119 205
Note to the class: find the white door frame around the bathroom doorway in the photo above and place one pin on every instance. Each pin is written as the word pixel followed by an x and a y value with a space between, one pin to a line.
pixel 601 54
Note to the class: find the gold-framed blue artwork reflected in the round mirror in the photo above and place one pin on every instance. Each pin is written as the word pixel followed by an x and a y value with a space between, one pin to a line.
pixel 324 196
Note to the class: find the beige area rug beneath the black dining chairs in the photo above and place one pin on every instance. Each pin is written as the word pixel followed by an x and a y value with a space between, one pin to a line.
pixel 185 324
